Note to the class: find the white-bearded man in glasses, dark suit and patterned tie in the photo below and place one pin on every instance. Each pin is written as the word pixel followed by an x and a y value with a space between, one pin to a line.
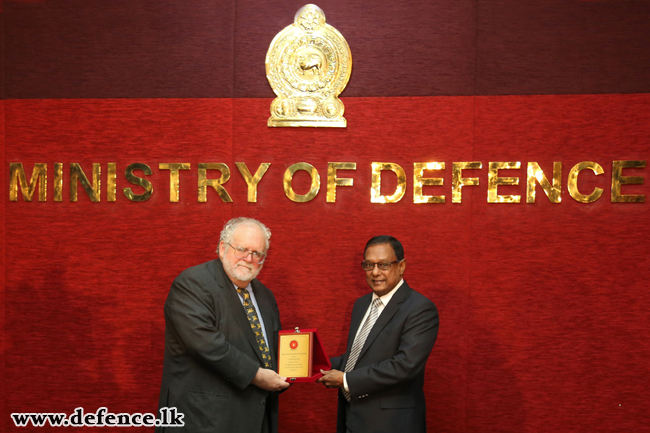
pixel 221 327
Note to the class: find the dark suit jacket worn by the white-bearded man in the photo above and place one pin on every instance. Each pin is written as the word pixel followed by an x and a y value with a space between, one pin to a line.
pixel 211 355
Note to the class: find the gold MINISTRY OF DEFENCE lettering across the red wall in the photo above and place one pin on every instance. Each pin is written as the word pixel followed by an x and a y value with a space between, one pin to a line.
pixel 535 176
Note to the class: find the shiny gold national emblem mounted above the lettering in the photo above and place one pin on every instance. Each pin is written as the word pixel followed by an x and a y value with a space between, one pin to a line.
pixel 308 65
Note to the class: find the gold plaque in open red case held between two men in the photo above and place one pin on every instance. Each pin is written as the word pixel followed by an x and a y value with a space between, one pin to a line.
pixel 301 355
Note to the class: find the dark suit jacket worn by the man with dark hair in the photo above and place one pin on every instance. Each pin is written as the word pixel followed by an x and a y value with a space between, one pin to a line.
pixel 386 385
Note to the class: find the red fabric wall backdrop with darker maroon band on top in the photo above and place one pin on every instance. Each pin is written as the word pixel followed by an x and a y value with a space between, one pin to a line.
pixel 543 307
